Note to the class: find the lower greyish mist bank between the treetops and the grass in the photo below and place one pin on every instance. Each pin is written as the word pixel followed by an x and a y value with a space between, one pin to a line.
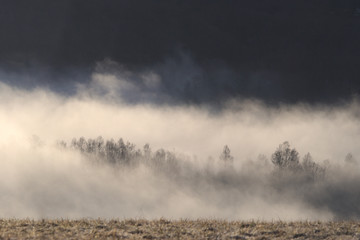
pixel 42 181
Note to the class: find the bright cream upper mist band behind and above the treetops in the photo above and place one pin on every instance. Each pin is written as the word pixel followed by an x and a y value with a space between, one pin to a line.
pixel 248 127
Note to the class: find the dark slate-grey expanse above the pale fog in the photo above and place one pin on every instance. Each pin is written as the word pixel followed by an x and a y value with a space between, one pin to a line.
pixel 276 51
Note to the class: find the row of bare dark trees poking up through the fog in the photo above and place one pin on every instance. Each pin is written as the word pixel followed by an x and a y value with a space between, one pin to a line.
pixel 285 158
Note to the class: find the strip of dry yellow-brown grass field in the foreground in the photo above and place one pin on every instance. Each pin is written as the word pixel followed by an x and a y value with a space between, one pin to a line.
pixel 180 229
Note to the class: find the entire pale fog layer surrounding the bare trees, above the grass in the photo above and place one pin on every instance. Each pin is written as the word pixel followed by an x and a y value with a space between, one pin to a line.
pixel 40 180
